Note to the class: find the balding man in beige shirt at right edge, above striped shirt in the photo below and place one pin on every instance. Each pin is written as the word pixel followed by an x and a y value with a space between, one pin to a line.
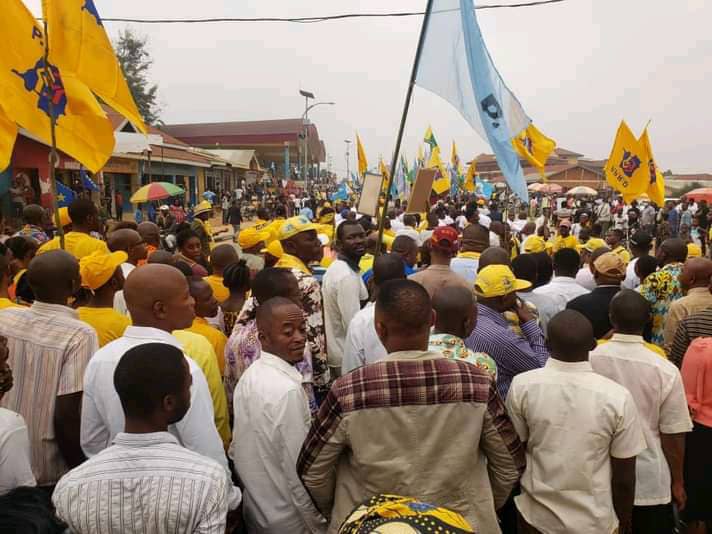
pixel 694 280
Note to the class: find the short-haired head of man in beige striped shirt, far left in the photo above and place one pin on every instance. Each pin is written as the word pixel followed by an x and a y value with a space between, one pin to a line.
pixel 54 276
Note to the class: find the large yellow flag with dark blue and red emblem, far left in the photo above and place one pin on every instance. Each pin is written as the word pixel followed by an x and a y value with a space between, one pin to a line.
pixel 83 130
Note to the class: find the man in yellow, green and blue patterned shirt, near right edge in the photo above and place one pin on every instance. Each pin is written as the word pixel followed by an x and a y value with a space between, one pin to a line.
pixel 663 287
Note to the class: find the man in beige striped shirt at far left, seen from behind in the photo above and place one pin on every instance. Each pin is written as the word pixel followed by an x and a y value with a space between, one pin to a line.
pixel 49 351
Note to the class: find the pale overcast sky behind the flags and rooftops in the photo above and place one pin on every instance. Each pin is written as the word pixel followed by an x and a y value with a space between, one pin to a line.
pixel 578 68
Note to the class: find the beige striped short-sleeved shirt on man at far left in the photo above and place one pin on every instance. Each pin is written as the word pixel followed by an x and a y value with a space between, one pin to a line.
pixel 49 350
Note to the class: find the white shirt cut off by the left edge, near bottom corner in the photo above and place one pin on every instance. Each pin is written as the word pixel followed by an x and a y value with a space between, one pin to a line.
pixel 15 467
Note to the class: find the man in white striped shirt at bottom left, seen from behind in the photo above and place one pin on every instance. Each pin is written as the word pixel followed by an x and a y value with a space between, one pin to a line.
pixel 146 481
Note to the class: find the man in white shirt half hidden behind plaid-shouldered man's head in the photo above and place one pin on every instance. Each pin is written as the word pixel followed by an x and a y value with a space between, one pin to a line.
pixel 362 343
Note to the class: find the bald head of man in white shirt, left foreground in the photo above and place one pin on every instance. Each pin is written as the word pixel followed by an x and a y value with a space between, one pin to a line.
pixel 158 296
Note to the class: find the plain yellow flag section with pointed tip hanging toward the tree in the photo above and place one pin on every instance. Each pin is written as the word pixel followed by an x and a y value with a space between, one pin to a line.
pixel 78 44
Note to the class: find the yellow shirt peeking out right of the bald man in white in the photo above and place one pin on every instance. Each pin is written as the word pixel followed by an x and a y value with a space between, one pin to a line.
pixel 199 349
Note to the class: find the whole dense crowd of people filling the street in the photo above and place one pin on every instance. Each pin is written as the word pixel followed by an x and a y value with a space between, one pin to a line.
pixel 481 367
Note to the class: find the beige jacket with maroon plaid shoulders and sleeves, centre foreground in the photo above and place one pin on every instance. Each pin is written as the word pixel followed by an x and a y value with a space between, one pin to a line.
pixel 422 408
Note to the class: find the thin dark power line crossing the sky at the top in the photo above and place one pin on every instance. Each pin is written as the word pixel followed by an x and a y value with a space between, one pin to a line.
pixel 311 20
